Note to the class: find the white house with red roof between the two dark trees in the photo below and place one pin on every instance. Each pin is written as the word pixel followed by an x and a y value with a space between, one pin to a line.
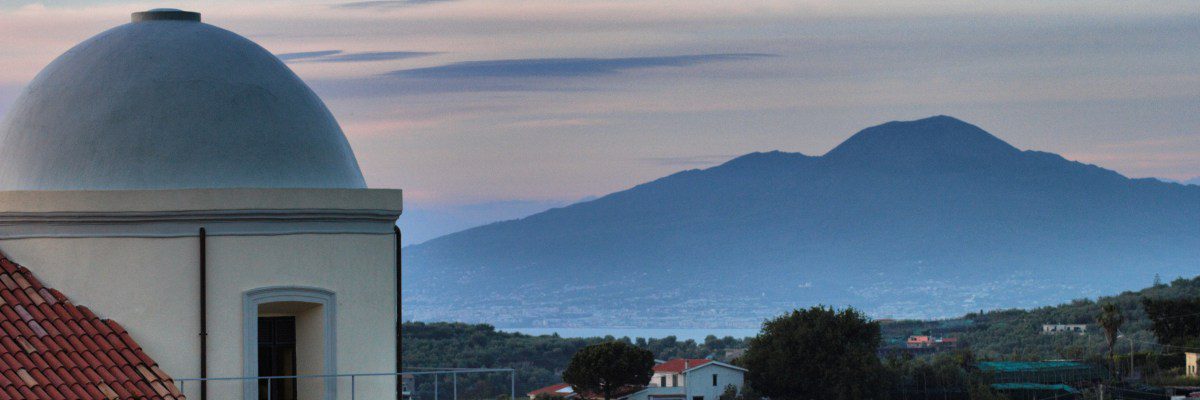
pixel 692 380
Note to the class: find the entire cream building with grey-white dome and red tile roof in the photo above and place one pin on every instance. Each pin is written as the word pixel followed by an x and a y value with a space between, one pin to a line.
pixel 188 187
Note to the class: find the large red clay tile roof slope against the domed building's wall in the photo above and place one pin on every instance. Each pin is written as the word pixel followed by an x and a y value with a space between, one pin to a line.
pixel 52 350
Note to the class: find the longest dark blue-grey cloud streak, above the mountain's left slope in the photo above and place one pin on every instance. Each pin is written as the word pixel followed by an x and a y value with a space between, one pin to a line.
pixel 566 67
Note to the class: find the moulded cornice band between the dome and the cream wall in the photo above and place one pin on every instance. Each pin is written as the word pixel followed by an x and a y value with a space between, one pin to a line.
pixel 178 213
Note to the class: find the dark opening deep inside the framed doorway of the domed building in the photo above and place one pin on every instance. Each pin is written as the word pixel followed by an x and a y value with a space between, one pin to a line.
pixel 278 357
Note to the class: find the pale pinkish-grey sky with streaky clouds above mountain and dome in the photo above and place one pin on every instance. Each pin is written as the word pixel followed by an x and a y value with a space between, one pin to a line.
pixel 470 102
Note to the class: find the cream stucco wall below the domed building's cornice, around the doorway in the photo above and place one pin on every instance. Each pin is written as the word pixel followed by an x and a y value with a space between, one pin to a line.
pixel 152 288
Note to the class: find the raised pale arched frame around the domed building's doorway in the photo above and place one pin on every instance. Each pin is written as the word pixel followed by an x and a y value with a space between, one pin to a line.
pixel 254 298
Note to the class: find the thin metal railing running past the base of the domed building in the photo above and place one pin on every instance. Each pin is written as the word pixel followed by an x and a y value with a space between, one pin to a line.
pixel 355 380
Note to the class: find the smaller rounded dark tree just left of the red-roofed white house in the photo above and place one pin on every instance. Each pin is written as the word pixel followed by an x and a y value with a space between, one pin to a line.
pixel 609 367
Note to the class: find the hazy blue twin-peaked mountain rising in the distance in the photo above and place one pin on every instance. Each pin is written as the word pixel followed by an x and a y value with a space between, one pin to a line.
pixel 909 219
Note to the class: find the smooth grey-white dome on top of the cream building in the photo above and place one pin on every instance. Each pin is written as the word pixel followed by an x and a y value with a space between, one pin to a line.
pixel 171 103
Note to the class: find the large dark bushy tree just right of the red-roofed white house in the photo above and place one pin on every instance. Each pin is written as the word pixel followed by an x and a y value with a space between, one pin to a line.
pixel 817 354
